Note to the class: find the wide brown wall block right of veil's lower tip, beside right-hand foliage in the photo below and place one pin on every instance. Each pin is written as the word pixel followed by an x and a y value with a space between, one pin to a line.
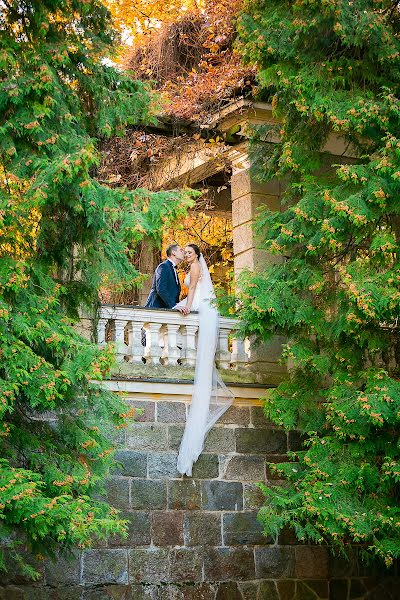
pixel 257 441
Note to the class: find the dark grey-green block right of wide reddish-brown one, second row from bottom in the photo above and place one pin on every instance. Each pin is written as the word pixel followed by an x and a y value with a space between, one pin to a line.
pixel 274 562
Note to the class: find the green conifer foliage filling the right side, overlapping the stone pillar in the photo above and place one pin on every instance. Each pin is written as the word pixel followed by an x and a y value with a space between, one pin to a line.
pixel 331 69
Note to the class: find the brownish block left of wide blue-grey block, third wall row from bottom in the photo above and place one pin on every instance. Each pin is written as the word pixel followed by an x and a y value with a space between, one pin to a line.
pixel 202 528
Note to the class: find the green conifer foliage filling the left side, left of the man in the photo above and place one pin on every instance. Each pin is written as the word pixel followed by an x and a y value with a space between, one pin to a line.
pixel 61 235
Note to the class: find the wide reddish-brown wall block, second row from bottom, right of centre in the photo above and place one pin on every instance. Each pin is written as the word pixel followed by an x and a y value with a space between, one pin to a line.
pixel 226 564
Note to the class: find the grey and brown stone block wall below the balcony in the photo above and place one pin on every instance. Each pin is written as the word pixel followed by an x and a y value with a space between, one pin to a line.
pixel 198 538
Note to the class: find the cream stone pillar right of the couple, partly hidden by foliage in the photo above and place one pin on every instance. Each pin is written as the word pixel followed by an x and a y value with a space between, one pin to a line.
pixel 247 196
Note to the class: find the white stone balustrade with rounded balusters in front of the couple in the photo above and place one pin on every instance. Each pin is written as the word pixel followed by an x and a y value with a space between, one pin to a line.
pixel 161 336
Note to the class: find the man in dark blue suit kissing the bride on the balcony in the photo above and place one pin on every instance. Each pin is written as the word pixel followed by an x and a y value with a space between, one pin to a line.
pixel 165 289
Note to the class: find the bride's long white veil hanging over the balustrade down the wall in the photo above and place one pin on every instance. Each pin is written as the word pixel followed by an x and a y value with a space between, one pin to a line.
pixel 211 398
